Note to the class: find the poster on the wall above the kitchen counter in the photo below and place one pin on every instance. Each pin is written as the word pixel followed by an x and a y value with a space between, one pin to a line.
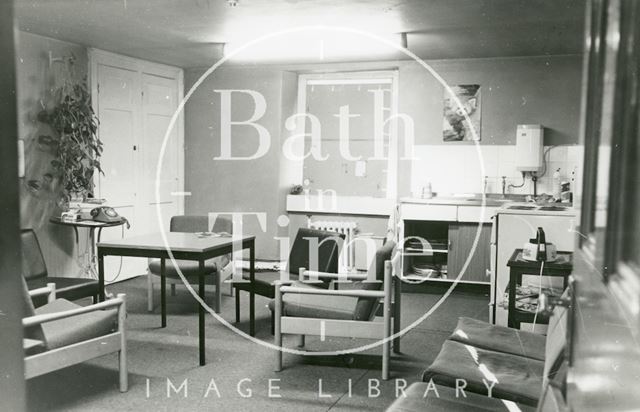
pixel 455 127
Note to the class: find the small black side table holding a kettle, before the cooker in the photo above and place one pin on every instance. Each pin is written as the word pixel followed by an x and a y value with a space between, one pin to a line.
pixel 562 267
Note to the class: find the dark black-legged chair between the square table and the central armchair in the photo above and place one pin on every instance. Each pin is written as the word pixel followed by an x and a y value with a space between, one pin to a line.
pixel 328 244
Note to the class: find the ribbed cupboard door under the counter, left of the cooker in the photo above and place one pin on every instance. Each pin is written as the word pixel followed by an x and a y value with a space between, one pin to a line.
pixel 461 238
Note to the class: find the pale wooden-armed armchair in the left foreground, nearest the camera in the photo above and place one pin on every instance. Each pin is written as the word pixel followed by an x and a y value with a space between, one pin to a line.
pixel 62 333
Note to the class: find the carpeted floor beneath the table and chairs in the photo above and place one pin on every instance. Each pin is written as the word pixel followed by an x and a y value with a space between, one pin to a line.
pixel 238 371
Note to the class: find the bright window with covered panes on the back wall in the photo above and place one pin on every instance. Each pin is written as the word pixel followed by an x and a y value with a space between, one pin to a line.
pixel 350 133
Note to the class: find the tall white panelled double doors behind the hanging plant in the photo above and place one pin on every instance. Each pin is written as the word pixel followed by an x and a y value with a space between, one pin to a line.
pixel 135 101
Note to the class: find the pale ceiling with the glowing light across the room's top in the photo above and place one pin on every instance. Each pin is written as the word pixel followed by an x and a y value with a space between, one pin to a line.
pixel 191 33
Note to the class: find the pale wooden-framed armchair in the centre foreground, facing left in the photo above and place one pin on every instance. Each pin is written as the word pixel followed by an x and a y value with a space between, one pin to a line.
pixel 302 309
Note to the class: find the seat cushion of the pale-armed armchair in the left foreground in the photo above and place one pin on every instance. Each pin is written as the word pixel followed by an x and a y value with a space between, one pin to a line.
pixel 77 328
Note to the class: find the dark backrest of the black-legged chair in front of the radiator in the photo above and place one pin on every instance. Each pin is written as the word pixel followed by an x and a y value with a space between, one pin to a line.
pixel 329 245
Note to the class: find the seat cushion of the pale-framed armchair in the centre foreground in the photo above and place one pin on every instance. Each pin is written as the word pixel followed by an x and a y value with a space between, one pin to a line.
pixel 316 306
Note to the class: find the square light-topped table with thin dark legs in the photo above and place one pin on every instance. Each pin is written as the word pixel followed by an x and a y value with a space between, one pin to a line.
pixel 186 246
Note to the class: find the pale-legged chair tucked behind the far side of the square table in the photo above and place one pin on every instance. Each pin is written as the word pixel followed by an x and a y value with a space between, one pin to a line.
pixel 216 268
